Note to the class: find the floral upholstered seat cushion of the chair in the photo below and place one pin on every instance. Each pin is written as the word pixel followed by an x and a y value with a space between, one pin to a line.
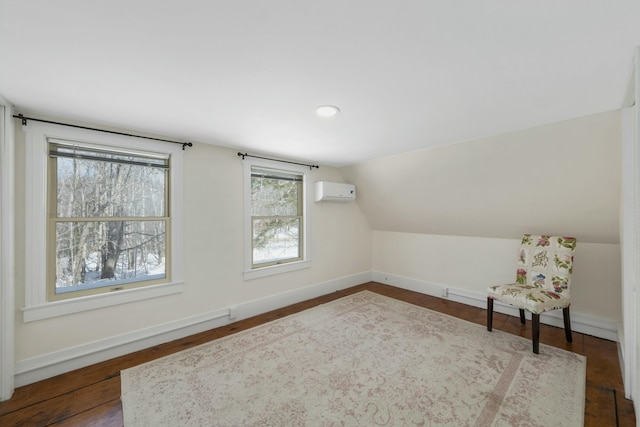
pixel 528 297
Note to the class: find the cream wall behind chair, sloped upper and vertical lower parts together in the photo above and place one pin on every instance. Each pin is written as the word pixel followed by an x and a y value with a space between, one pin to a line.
pixel 451 217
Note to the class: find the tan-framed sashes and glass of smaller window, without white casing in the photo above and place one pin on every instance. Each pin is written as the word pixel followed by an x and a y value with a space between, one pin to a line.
pixel 277 217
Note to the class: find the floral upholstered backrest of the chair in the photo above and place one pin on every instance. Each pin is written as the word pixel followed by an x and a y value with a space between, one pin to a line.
pixel 546 262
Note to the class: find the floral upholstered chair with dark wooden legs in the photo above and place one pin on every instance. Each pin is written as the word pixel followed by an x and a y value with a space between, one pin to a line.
pixel 545 264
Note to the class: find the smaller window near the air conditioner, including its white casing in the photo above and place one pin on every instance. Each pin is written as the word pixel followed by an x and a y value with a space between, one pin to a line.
pixel 276 219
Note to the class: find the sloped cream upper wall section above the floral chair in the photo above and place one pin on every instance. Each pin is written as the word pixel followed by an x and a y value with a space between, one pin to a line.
pixel 562 179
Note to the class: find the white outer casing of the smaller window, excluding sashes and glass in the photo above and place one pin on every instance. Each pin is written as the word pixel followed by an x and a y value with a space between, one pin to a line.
pixel 257 272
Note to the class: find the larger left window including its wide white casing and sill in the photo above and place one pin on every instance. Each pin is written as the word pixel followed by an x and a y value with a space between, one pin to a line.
pixel 104 220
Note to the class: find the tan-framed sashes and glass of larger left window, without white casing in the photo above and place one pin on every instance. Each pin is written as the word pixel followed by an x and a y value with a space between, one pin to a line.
pixel 108 222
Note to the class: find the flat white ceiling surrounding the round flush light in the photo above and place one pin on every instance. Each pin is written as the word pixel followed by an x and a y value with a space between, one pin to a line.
pixel 407 74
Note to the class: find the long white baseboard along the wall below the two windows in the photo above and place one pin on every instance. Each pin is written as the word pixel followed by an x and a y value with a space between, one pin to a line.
pixel 51 364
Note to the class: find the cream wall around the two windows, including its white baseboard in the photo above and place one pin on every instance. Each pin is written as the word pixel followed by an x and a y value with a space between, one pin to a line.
pixel 213 248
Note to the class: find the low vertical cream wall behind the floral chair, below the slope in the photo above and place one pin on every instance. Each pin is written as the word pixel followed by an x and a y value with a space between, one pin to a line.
pixel 474 263
